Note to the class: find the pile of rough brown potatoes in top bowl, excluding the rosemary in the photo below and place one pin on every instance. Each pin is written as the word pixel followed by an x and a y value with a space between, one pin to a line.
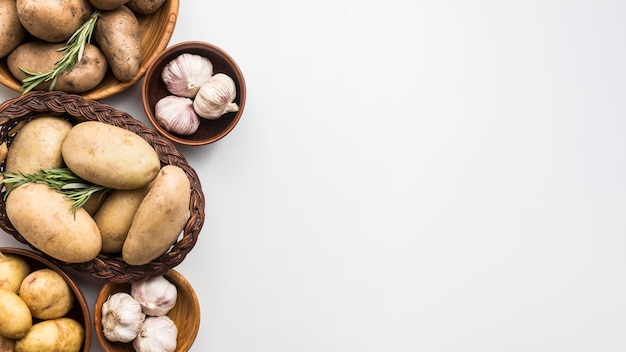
pixel 33 31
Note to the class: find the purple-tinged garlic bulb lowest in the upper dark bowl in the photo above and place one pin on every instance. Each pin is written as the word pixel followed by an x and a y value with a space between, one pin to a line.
pixel 176 114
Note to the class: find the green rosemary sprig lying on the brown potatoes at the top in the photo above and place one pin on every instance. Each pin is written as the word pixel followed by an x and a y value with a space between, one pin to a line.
pixel 73 49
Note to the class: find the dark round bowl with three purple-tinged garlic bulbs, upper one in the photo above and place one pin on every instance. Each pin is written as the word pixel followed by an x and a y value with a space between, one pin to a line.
pixel 194 93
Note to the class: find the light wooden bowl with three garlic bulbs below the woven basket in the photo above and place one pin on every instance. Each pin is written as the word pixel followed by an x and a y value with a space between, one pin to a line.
pixel 161 313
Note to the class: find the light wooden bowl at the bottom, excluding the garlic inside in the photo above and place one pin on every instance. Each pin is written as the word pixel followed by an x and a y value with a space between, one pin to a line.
pixel 185 314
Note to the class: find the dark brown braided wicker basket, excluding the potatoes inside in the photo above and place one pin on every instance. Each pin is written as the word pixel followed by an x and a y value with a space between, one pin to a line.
pixel 77 109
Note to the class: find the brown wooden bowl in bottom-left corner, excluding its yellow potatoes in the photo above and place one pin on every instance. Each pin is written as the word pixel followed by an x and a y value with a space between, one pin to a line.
pixel 80 311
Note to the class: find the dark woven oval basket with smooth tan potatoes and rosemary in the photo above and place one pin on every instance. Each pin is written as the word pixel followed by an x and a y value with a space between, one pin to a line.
pixel 89 187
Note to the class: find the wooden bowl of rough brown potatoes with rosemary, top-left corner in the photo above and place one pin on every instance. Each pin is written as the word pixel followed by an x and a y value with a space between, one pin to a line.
pixel 93 48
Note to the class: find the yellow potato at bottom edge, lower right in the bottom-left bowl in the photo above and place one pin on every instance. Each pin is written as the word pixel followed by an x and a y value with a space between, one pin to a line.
pixel 56 335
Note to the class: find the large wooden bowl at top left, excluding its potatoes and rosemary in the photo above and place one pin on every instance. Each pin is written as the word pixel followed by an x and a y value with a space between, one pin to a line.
pixel 156 31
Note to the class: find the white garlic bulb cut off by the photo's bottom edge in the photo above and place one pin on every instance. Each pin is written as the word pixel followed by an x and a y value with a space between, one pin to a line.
pixel 158 334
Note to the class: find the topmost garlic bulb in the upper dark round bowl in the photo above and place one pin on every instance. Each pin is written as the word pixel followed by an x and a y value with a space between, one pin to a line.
pixel 184 75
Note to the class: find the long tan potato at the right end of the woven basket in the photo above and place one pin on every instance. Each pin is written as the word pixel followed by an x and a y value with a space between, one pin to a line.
pixel 160 218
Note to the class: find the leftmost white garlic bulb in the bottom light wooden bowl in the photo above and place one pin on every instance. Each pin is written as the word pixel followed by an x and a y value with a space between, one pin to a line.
pixel 121 317
